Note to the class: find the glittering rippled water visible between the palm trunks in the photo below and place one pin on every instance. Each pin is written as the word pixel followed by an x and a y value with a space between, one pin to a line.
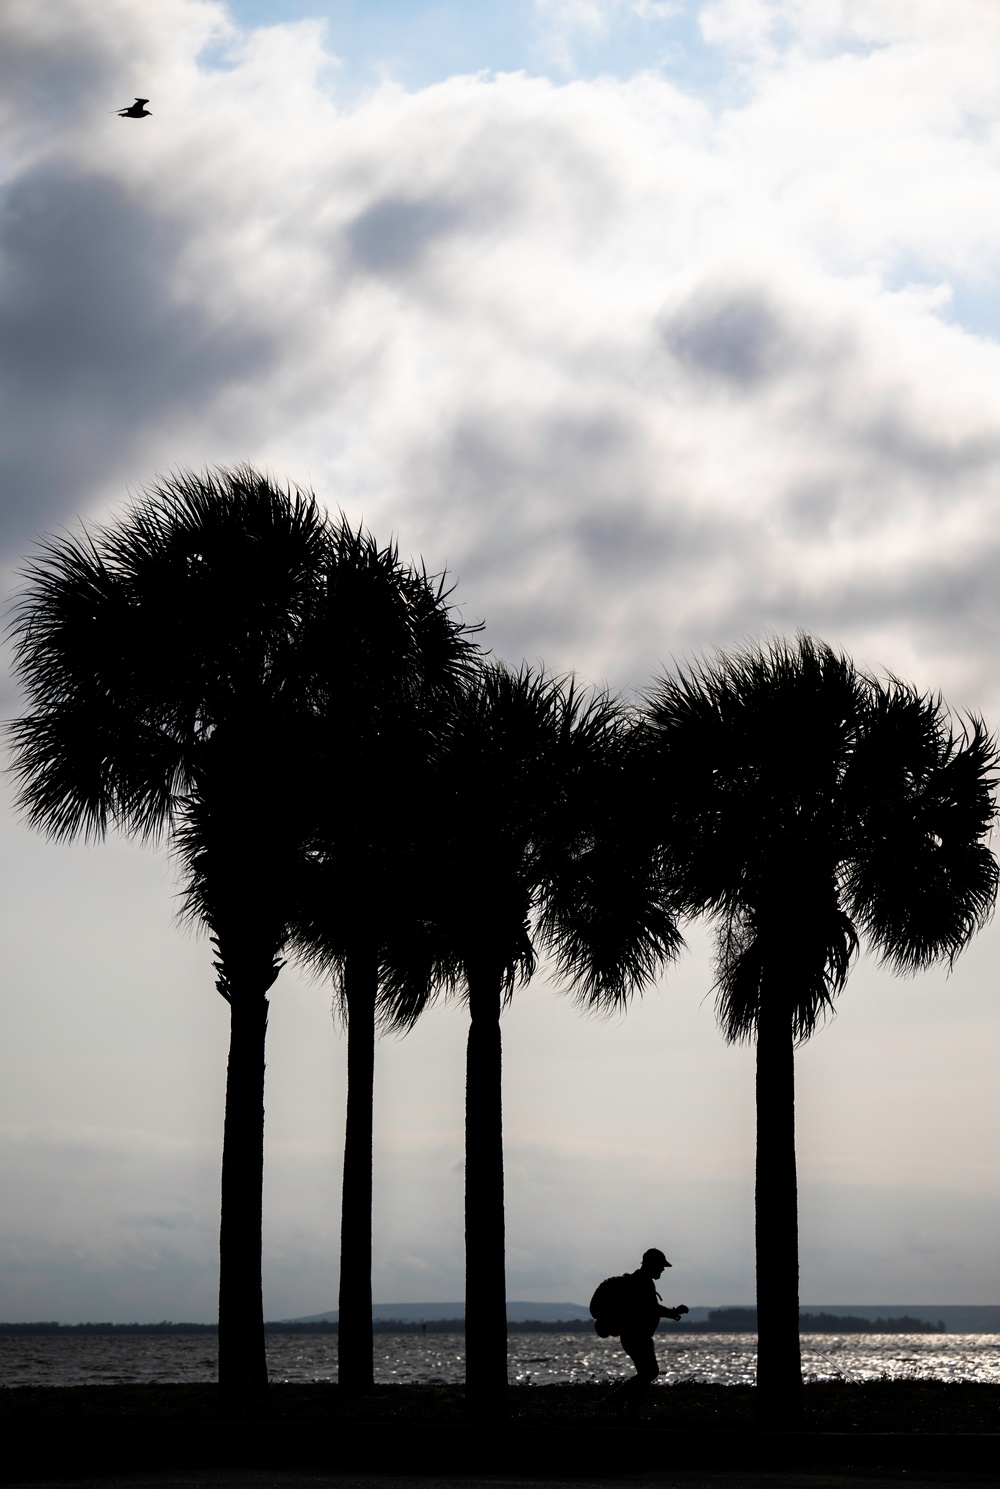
pixel 538 1359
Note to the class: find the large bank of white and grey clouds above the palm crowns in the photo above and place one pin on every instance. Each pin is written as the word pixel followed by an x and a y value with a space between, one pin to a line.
pixel 645 376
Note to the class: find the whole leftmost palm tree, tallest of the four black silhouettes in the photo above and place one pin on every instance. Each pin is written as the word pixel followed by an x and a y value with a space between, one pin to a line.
pixel 169 684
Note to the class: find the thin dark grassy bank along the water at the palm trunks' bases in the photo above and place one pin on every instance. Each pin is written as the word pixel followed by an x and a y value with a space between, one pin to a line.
pixel 882 1406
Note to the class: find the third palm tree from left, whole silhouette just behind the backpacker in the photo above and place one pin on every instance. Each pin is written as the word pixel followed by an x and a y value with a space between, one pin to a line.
pixel 523 790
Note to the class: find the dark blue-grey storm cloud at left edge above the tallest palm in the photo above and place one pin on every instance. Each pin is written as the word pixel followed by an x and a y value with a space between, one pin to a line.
pixel 94 346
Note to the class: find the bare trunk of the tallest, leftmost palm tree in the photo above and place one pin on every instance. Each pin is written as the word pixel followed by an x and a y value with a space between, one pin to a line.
pixel 243 1369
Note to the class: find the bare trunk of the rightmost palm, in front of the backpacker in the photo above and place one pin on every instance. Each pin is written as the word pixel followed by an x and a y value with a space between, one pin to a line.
pixel 778 1220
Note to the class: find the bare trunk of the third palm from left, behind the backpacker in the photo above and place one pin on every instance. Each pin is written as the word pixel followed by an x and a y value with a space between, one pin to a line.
pixel 486 1266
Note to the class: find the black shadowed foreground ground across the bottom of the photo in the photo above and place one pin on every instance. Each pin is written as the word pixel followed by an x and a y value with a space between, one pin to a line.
pixel 888 1433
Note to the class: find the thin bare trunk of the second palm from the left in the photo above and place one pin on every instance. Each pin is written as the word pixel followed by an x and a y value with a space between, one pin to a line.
pixel 355 1348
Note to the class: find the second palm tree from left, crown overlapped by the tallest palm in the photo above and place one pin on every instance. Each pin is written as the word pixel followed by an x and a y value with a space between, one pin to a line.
pixel 395 657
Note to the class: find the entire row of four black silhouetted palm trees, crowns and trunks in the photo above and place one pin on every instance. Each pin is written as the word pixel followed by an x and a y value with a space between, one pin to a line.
pixel 322 741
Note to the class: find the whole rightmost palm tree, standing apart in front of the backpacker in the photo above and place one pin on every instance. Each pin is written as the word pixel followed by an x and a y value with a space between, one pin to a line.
pixel 804 805
